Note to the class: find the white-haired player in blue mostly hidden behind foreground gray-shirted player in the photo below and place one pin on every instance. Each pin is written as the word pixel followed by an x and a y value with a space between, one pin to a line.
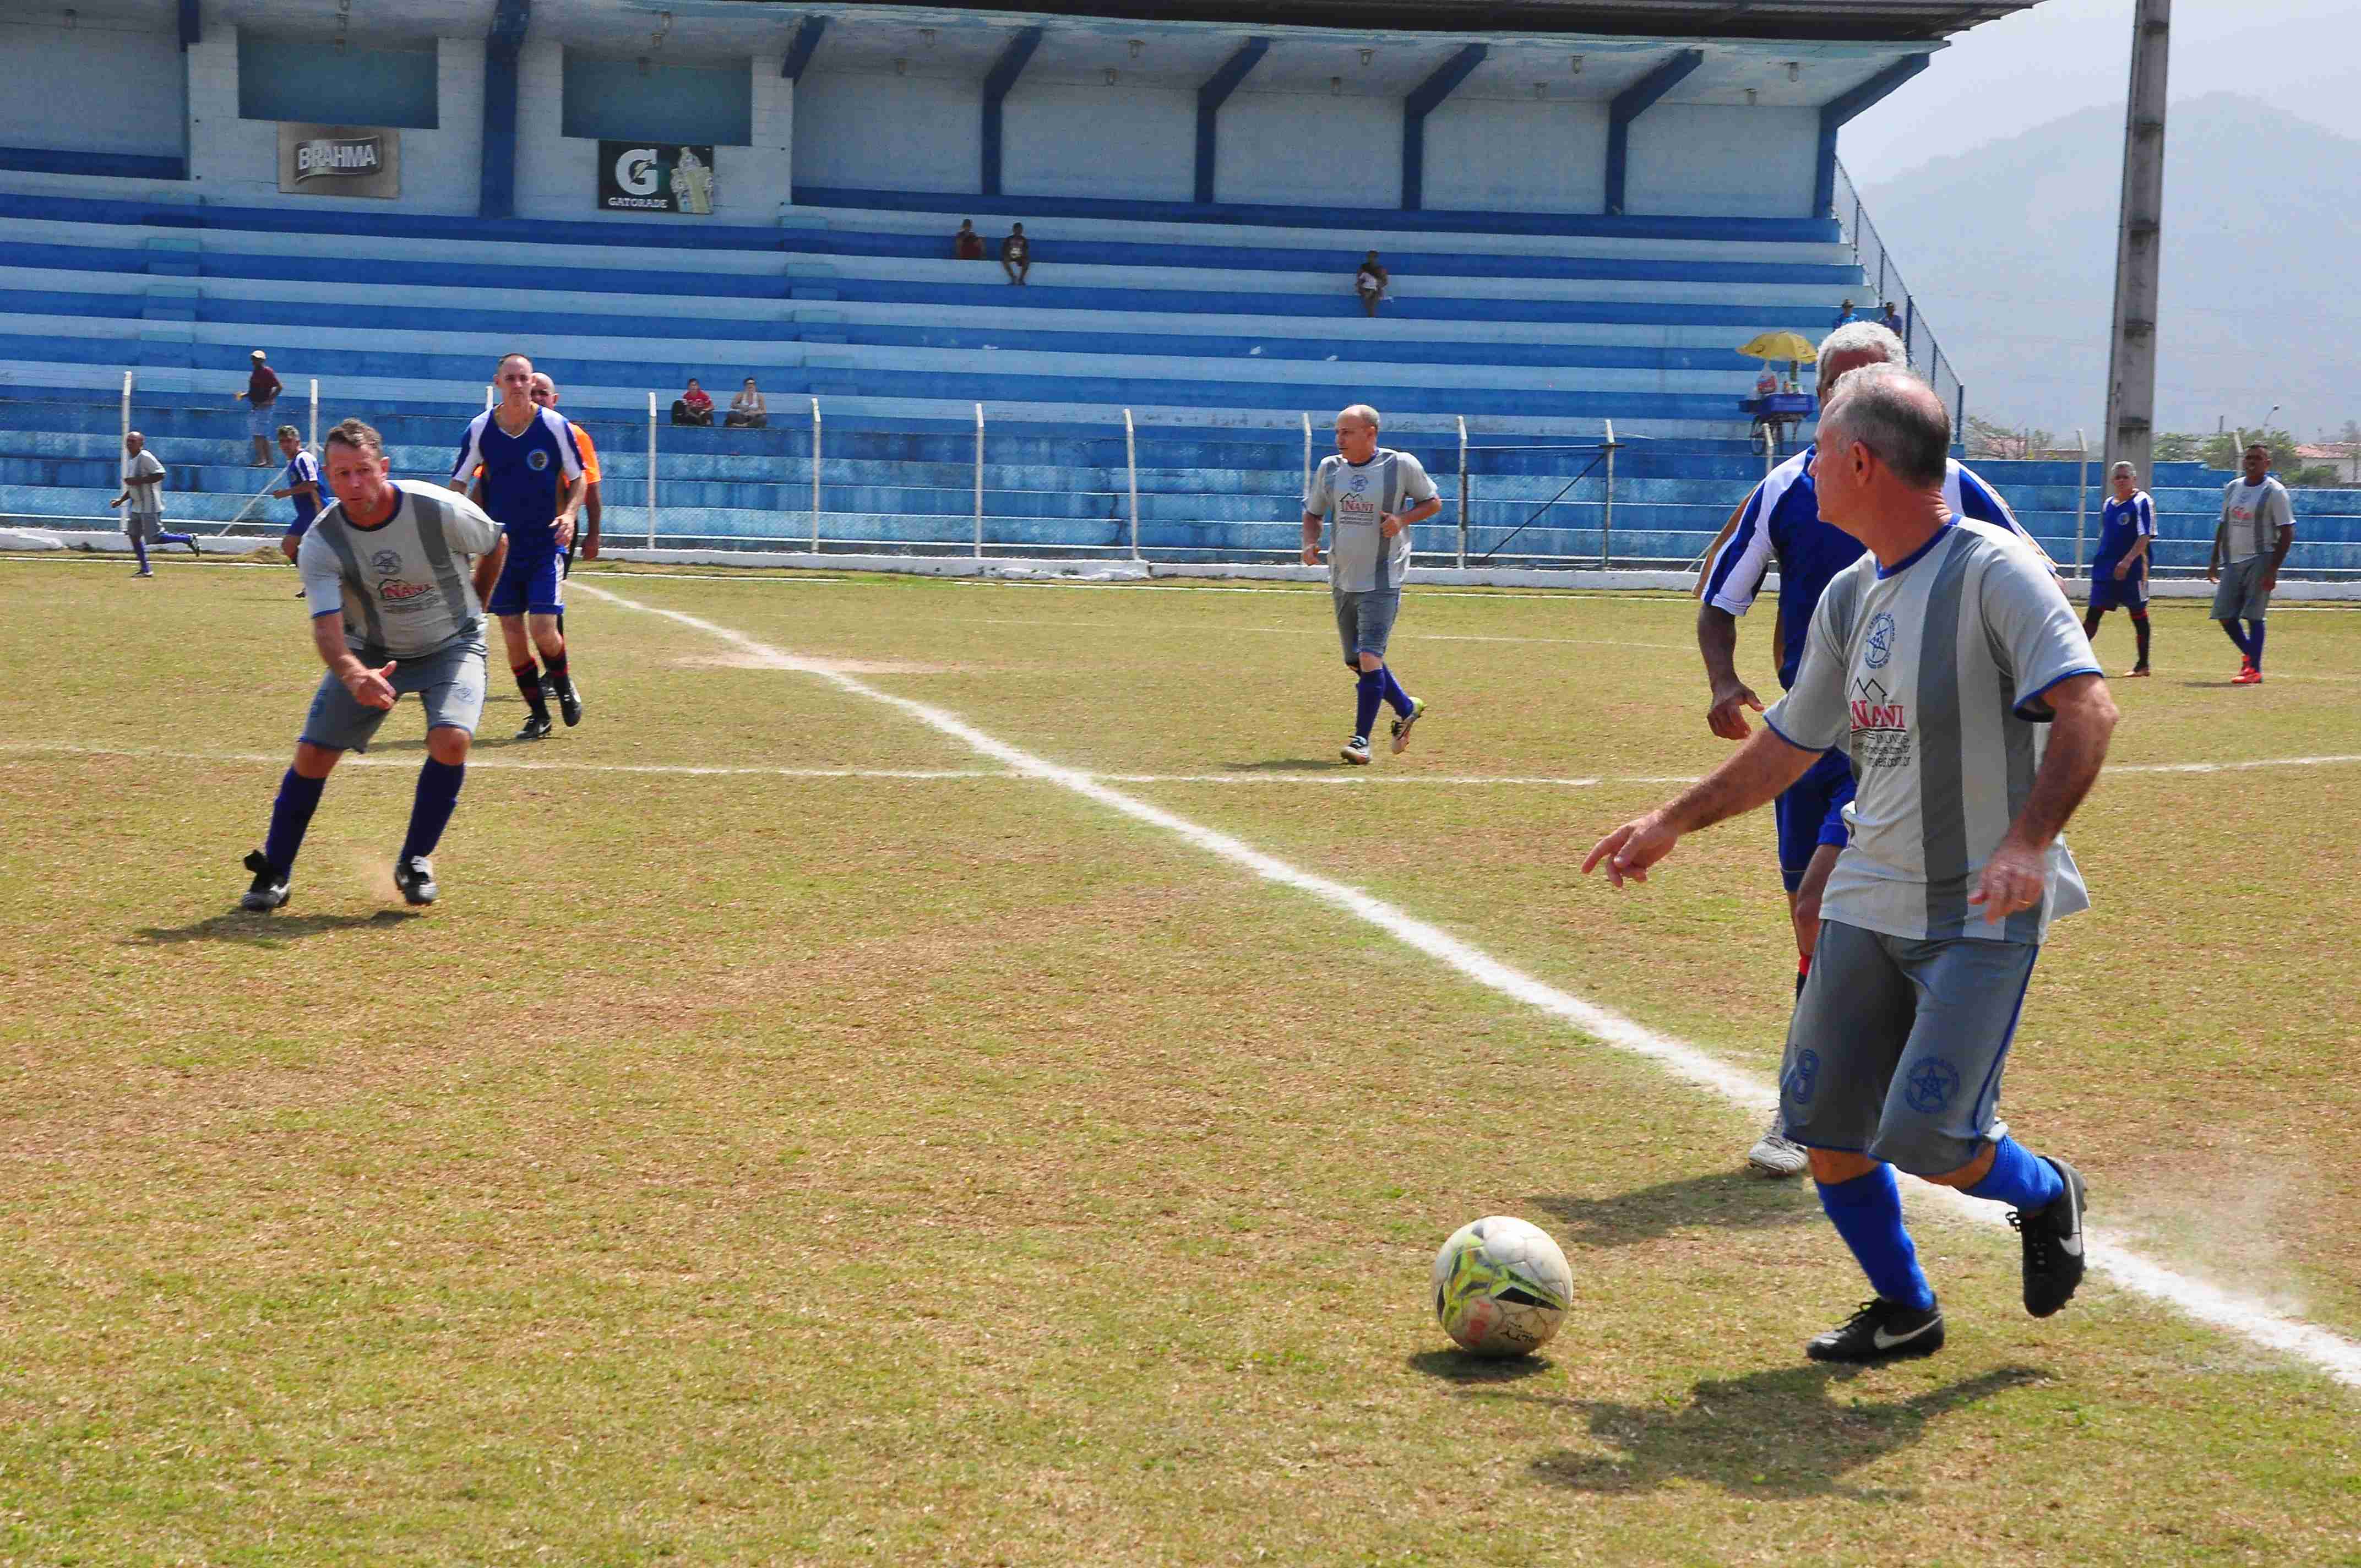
pixel 1781 523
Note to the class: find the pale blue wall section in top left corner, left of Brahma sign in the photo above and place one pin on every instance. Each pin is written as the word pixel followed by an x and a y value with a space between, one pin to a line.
pixel 96 89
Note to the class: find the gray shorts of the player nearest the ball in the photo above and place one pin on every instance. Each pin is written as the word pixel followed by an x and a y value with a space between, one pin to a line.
pixel 1897 1047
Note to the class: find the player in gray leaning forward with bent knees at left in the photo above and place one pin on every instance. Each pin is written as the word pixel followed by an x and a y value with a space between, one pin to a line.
pixel 395 608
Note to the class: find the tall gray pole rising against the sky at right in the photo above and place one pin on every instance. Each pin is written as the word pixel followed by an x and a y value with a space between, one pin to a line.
pixel 2131 362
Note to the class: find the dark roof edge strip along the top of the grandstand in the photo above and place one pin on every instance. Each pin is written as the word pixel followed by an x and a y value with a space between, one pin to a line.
pixel 1829 20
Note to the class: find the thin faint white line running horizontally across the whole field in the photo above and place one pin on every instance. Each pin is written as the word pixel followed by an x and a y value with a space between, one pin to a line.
pixel 1340 778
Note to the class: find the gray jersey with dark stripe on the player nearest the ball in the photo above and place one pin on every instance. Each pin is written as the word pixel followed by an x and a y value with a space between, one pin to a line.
pixel 1932 679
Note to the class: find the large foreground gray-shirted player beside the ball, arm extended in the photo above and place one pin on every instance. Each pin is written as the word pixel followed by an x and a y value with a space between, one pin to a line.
pixel 1977 717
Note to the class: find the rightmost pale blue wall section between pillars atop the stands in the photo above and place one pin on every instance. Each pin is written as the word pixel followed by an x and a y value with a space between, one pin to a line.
pixel 1715 162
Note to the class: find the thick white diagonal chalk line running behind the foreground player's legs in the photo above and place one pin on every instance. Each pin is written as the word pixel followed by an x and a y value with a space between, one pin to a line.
pixel 2329 1352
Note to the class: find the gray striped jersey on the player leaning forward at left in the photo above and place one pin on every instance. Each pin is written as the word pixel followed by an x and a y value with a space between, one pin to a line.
pixel 403 587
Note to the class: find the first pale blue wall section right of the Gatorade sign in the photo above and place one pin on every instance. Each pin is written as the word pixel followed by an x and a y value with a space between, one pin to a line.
pixel 891 133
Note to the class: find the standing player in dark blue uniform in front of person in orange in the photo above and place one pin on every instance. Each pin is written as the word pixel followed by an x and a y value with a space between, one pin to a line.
pixel 532 488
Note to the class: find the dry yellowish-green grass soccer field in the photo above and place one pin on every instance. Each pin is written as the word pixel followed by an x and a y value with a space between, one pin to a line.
pixel 802 1135
